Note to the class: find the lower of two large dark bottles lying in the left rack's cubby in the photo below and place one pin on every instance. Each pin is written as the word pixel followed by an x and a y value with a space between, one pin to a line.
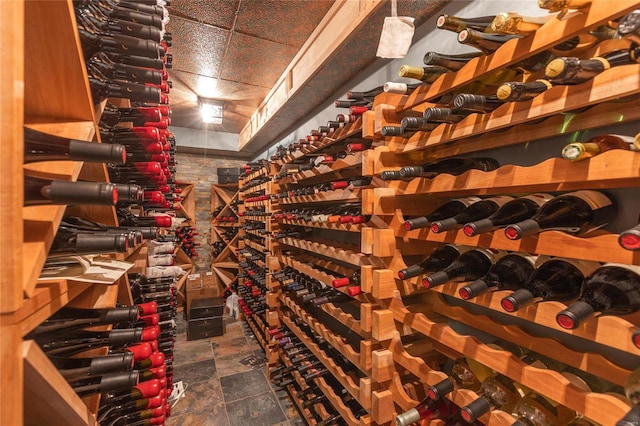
pixel 39 191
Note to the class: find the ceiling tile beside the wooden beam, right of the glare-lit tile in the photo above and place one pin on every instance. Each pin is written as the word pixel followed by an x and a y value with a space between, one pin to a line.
pixel 256 61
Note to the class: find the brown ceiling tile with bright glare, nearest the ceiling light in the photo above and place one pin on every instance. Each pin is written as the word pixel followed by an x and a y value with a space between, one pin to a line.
pixel 197 48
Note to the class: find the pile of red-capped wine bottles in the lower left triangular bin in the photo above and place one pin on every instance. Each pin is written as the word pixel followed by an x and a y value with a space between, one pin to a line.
pixel 135 377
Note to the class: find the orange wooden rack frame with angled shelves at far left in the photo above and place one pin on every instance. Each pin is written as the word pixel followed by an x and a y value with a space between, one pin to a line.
pixel 58 102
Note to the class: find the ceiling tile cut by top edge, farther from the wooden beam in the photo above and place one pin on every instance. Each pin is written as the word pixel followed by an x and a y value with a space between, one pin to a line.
pixel 217 13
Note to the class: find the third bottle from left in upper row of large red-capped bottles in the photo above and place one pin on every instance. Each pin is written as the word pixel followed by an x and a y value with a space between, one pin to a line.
pixel 512 212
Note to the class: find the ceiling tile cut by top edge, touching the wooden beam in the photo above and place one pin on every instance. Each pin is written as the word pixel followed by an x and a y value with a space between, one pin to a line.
pixel 266 19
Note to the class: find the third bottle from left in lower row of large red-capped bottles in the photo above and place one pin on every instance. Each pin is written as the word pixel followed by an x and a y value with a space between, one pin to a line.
pixel 510 272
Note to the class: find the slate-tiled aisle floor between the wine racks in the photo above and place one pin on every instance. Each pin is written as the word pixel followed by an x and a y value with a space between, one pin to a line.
pixel 223 387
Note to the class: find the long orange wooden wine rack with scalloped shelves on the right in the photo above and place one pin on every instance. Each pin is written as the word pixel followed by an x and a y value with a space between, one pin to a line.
pixel 601 346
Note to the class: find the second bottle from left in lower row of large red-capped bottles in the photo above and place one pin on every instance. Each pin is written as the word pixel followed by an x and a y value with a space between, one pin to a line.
pixel 469 266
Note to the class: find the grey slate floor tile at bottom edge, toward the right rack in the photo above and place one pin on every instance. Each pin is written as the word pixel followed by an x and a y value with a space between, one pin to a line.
pixel 259 410
